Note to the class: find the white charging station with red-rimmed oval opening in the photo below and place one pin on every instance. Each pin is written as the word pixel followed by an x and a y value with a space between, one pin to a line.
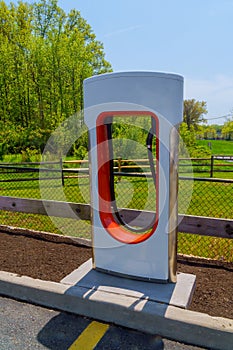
pixel 151 253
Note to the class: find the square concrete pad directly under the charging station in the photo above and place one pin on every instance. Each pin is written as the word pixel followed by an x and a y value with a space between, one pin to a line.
pixel 178 294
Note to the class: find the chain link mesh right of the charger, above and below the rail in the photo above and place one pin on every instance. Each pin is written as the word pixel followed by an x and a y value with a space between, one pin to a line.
pixel 210 198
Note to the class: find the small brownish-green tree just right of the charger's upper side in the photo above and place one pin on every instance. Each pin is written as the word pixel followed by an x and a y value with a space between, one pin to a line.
pixel 193 113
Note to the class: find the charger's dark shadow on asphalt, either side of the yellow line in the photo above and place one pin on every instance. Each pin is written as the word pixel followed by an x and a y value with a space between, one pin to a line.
pixel 62 330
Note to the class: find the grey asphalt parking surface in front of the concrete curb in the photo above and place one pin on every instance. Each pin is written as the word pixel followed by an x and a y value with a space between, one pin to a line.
pixel 26 326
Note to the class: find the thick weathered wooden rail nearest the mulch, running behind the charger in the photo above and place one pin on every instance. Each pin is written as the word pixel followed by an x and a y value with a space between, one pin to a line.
pixel 200 225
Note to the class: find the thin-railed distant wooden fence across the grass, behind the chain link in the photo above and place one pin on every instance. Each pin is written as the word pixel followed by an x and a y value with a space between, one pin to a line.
pixel 122 167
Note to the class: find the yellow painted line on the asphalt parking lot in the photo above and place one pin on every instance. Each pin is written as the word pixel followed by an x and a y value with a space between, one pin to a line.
pixel 90 337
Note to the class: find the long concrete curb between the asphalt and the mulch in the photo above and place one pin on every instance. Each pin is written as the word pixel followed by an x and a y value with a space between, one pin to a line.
pixel 132 312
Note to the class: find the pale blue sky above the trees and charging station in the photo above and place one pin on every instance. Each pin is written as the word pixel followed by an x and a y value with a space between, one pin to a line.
pixel 190 37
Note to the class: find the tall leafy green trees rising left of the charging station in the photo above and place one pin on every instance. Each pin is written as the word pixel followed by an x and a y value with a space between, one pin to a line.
pixel 45 54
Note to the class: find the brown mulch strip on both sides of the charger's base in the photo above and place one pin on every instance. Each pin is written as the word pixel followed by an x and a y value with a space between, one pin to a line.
pixel 41 259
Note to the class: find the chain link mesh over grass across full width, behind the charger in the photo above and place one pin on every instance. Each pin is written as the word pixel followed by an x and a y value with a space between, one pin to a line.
pixel 69 182
